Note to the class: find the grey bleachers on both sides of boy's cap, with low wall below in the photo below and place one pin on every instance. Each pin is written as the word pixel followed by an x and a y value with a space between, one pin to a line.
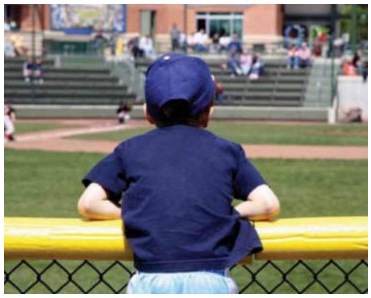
pixel 94 86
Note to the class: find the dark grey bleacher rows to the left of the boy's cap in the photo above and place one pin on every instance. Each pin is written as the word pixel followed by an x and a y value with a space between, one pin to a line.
pixel 73 85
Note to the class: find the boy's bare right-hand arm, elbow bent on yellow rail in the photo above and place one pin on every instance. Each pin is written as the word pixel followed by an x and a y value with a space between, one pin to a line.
pixel 261 204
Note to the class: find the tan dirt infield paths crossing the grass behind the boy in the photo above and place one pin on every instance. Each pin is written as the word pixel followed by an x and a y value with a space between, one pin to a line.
pixel 55 141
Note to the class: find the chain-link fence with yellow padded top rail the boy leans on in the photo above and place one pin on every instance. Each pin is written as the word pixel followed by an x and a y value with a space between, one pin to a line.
pixel 303 255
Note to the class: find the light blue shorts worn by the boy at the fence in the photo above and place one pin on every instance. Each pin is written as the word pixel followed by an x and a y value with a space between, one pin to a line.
pixel 200 282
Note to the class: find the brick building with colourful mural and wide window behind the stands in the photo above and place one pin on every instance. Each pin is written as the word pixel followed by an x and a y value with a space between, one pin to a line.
pixel 255 24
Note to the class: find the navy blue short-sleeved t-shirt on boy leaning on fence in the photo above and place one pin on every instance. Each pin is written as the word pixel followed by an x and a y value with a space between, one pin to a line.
pixel 178 184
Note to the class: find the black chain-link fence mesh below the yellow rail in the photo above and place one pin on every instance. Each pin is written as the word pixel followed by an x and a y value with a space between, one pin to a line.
pixel 107 277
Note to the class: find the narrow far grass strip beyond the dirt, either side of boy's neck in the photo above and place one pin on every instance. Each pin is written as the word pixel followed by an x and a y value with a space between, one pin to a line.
pixel 253 133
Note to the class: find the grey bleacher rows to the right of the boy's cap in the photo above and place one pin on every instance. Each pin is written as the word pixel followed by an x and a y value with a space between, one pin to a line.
pixel 277 87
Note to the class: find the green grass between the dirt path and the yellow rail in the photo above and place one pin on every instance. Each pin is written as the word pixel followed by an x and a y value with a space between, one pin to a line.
pixel 47 184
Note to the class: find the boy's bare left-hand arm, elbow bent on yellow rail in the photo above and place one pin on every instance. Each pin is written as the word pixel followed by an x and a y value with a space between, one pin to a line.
pixel 93 204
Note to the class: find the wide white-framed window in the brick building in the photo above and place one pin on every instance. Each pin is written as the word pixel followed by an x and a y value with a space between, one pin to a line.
pixel 221 23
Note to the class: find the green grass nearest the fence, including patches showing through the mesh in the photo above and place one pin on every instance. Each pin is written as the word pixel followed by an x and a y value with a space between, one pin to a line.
pixel 47 184
